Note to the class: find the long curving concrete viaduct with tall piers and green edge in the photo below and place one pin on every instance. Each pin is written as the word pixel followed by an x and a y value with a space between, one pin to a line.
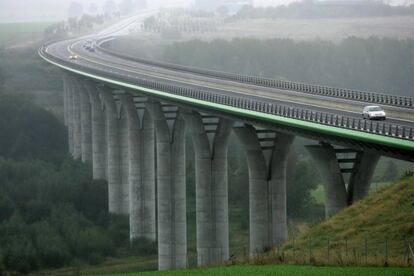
pixel 129 119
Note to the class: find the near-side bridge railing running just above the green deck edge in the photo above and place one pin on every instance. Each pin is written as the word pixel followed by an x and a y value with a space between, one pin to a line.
pixel 324 118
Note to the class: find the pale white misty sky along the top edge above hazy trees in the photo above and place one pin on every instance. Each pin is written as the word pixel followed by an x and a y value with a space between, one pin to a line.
pixel 55 10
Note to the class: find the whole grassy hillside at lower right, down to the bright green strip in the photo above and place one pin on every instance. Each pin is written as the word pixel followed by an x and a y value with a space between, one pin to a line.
pixel 375 229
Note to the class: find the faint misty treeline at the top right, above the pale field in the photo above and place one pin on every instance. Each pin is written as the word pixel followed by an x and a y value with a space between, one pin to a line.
pixel 325 9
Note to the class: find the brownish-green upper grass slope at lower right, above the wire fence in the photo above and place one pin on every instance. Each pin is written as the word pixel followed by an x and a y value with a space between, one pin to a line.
pixel 388 213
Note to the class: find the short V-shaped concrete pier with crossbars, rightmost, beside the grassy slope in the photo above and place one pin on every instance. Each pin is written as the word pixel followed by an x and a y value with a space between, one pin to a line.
pixel 337 194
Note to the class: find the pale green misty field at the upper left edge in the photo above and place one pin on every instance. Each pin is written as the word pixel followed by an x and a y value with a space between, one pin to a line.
pixel 14 33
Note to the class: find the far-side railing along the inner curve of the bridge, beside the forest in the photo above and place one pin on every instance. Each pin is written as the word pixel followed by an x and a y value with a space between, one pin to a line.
pixel 342 93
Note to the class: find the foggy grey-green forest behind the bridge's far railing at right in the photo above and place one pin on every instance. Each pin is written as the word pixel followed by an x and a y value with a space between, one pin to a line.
pixel 376 64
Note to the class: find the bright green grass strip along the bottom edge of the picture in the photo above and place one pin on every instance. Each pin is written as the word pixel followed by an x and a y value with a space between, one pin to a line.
pixel 287 270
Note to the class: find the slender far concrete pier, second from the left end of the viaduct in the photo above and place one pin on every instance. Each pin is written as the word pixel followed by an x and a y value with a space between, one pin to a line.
pixel 77 130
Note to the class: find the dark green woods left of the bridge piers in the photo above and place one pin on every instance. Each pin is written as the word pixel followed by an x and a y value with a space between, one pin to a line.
pixel 52 213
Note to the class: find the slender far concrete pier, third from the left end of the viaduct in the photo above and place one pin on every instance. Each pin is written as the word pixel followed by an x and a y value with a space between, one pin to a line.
pixel 86 124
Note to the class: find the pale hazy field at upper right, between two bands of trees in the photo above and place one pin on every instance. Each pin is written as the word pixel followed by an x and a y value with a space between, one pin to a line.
pixel 310 29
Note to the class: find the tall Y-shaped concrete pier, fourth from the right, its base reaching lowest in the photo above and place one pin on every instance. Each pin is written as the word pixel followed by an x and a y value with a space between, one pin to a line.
pixel 171 192
